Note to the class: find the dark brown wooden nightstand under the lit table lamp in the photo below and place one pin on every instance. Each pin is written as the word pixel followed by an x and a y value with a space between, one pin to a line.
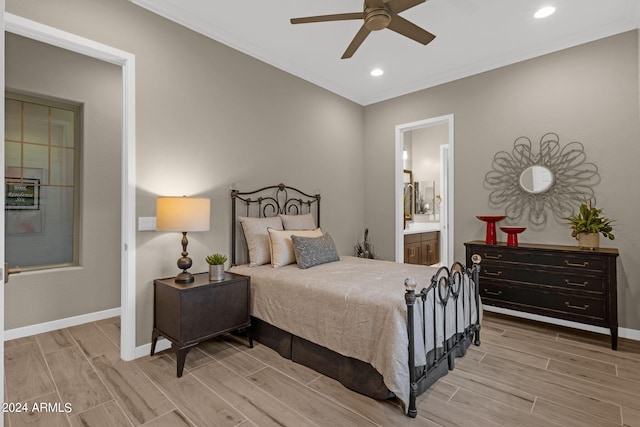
pixel 186 314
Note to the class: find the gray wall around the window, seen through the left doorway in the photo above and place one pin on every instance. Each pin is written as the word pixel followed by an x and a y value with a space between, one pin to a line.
pixel 41 296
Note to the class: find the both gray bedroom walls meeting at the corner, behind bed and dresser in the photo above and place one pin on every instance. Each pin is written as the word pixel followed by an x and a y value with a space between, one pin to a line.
pixel 208 116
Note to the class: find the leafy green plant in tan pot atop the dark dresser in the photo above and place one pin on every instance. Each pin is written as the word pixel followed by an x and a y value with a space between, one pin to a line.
pixel 587 225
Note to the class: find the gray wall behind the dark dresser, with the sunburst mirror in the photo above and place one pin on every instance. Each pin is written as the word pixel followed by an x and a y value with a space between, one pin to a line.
pixel 588 93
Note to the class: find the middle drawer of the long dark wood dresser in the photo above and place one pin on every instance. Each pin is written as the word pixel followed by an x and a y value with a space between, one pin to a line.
pixel 562 278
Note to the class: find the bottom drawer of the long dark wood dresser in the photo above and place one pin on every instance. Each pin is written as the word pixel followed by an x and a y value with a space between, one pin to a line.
pixel 549 303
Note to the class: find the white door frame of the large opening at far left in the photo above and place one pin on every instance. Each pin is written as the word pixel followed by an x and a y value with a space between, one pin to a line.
pixel 55 37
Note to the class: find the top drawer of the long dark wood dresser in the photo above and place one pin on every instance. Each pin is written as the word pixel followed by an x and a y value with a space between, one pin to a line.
pixel 573 260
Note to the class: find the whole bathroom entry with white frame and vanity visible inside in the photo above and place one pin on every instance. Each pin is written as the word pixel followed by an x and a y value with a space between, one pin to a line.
pixel 424 149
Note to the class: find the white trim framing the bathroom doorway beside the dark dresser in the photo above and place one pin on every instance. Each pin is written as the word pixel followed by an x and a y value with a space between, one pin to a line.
pixel 446 185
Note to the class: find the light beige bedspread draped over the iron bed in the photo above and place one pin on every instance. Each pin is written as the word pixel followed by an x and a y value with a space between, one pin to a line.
pixel 354 307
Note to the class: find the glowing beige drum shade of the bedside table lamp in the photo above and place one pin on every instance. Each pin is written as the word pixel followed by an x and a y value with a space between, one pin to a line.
pixel 182 214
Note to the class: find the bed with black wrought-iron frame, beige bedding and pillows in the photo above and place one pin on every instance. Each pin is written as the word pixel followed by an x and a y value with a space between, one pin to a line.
pixel 346 317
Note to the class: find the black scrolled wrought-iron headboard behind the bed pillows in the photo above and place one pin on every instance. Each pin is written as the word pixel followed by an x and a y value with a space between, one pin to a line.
pixel 267 202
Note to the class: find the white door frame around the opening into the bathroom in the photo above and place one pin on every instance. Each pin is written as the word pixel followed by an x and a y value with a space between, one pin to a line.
pixel 446 223
